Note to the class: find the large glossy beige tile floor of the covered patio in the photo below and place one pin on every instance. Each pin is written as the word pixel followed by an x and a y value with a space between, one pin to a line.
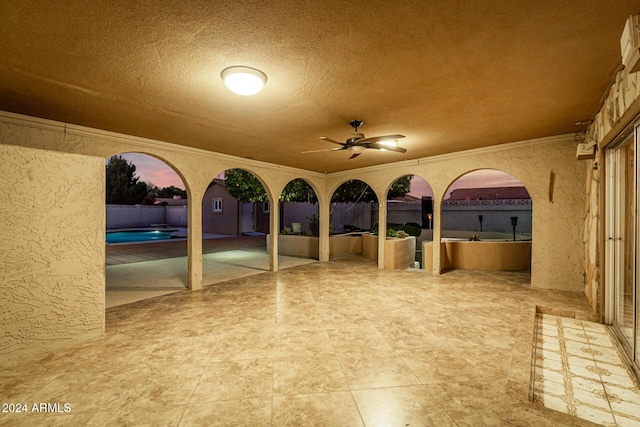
pixel 336 344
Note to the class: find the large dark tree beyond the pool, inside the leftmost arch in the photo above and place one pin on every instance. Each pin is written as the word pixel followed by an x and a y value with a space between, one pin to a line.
pixel 123 186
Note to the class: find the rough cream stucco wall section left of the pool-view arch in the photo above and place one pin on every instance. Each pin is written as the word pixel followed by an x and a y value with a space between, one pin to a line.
pixel 51 249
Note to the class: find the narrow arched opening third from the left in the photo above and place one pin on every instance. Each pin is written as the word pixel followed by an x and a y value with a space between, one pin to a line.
pixel 299 222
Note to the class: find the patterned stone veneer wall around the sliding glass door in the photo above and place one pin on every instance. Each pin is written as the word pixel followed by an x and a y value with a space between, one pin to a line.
pixel 620 107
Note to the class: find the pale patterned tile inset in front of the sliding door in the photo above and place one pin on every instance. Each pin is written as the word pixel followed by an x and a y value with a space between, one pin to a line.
pixel 579 371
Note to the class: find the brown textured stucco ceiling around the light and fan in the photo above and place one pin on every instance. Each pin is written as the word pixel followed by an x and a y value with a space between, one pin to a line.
pixel 450 75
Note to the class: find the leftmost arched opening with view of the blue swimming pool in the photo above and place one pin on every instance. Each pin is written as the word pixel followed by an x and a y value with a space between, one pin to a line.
pixel 146 229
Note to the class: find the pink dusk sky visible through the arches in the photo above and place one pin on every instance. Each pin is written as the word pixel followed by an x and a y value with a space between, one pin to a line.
pixel 157 172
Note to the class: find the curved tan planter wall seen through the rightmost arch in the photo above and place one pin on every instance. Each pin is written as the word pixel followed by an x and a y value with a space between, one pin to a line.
pixel 483 255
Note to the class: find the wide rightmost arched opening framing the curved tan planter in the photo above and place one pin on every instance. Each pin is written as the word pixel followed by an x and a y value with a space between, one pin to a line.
pixel 486 223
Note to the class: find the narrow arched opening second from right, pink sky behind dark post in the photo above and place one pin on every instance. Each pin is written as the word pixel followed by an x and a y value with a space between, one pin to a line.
pixel 410 210
